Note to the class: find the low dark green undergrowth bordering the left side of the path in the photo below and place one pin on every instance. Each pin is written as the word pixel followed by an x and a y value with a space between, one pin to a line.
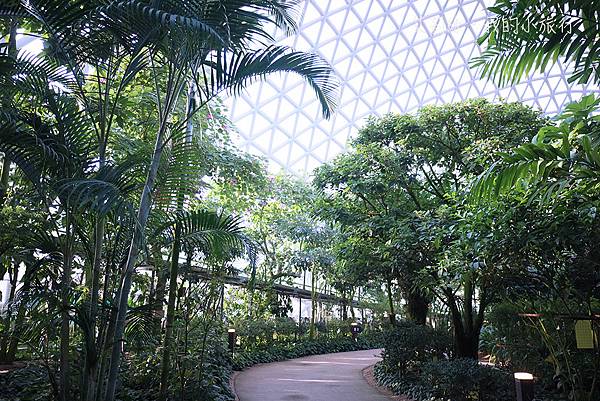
pixel 204 372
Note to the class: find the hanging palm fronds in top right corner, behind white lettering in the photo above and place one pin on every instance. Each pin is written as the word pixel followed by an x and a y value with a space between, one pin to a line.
pixel 531 35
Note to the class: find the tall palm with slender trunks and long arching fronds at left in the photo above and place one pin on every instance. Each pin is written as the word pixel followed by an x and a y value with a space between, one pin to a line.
pixel 95 49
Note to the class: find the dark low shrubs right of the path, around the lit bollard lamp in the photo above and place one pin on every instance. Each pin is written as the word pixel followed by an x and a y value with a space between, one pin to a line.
pixel 419 362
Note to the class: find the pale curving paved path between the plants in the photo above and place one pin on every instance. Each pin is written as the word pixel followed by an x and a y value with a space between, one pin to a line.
pixel 329 377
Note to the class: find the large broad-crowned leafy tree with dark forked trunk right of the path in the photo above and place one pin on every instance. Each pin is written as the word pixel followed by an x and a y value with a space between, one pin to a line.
pixel 408 177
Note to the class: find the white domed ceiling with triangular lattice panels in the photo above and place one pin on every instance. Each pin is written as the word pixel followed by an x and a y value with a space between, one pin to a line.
pixel 391 56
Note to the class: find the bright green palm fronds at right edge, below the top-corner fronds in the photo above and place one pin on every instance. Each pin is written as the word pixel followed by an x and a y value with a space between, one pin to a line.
pixel 558 158
